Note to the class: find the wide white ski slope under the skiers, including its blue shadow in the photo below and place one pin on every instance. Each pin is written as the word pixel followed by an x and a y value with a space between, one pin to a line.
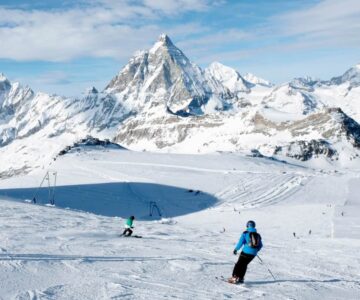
pixel 73 250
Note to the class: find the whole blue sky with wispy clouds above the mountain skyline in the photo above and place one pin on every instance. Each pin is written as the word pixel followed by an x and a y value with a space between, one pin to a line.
pixel 66 46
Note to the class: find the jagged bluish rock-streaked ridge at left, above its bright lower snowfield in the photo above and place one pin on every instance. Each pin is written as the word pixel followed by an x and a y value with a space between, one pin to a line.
pixel 25 113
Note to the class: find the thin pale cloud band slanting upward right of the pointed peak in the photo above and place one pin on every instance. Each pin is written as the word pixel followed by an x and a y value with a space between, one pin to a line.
pixel 324 25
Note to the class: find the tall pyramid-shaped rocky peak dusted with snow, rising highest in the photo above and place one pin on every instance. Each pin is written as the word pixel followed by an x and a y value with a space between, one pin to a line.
pixel 165 78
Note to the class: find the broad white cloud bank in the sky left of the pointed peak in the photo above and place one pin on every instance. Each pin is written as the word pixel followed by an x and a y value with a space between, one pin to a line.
pixel 99 28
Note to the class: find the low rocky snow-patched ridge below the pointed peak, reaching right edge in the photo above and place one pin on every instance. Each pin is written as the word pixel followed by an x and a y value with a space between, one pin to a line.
pixel 329 126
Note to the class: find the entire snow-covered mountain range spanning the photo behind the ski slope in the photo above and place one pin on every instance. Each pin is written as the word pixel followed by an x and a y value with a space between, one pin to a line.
pixel 161 101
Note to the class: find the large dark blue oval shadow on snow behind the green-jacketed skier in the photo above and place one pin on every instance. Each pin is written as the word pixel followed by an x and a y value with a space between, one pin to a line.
pixel 143 200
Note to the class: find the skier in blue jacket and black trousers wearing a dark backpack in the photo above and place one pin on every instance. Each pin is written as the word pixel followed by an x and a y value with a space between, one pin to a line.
pixel 251 242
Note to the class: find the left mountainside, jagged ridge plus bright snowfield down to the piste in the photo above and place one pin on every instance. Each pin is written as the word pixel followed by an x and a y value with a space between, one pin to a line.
pixel 34 127
